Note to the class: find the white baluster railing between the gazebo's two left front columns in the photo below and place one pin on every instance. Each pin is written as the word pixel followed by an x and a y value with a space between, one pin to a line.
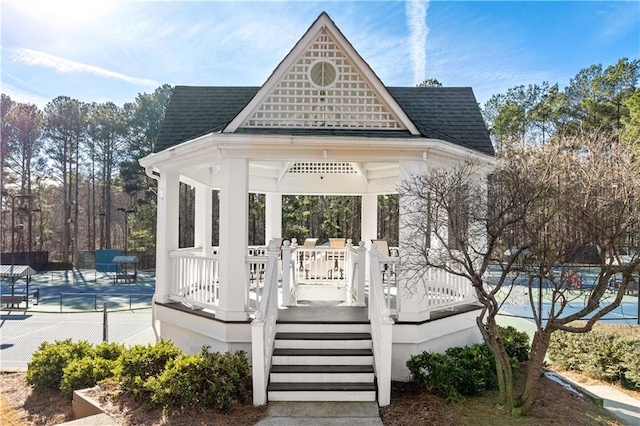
pixel 195 281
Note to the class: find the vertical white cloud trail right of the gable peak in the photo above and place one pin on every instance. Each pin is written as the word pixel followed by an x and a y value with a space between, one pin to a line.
pixel 418 31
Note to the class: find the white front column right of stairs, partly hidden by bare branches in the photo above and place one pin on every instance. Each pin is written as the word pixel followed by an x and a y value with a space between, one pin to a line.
pixel 412 295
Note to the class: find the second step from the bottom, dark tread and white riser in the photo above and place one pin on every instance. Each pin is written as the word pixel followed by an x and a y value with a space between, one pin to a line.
pixel 322 374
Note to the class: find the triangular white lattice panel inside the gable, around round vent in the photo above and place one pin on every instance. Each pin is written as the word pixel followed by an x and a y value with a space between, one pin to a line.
pixel 345 101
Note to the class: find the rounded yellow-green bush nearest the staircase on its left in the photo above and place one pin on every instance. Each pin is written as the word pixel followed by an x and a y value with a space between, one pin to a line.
pixel 204 380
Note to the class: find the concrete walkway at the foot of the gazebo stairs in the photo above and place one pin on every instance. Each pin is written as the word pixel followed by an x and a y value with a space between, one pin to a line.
pixel 322 413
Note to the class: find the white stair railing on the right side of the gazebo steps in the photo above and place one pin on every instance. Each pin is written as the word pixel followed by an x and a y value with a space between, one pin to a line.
pixel 381 329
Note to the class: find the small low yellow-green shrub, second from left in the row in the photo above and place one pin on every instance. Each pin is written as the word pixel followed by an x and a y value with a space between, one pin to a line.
pixel 85 372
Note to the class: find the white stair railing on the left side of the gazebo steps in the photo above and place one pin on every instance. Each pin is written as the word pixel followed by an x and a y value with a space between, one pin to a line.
pixel 263 330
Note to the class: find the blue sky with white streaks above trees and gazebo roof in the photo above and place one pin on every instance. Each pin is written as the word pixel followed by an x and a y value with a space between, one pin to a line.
pixel 102 51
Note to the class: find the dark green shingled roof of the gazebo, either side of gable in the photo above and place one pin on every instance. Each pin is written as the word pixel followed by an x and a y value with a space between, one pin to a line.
pixel 446 113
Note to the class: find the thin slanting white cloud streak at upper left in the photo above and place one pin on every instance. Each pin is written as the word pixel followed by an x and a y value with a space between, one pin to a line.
pixel 34 58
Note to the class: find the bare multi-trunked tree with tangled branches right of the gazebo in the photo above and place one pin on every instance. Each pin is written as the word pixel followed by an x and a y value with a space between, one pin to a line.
pixel 525 223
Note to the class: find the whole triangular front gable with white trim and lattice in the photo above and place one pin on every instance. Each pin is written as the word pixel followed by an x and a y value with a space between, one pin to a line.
pixel 323 83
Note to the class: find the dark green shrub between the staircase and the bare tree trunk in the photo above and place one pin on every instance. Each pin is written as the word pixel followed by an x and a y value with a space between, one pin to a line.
pixel 457 373
